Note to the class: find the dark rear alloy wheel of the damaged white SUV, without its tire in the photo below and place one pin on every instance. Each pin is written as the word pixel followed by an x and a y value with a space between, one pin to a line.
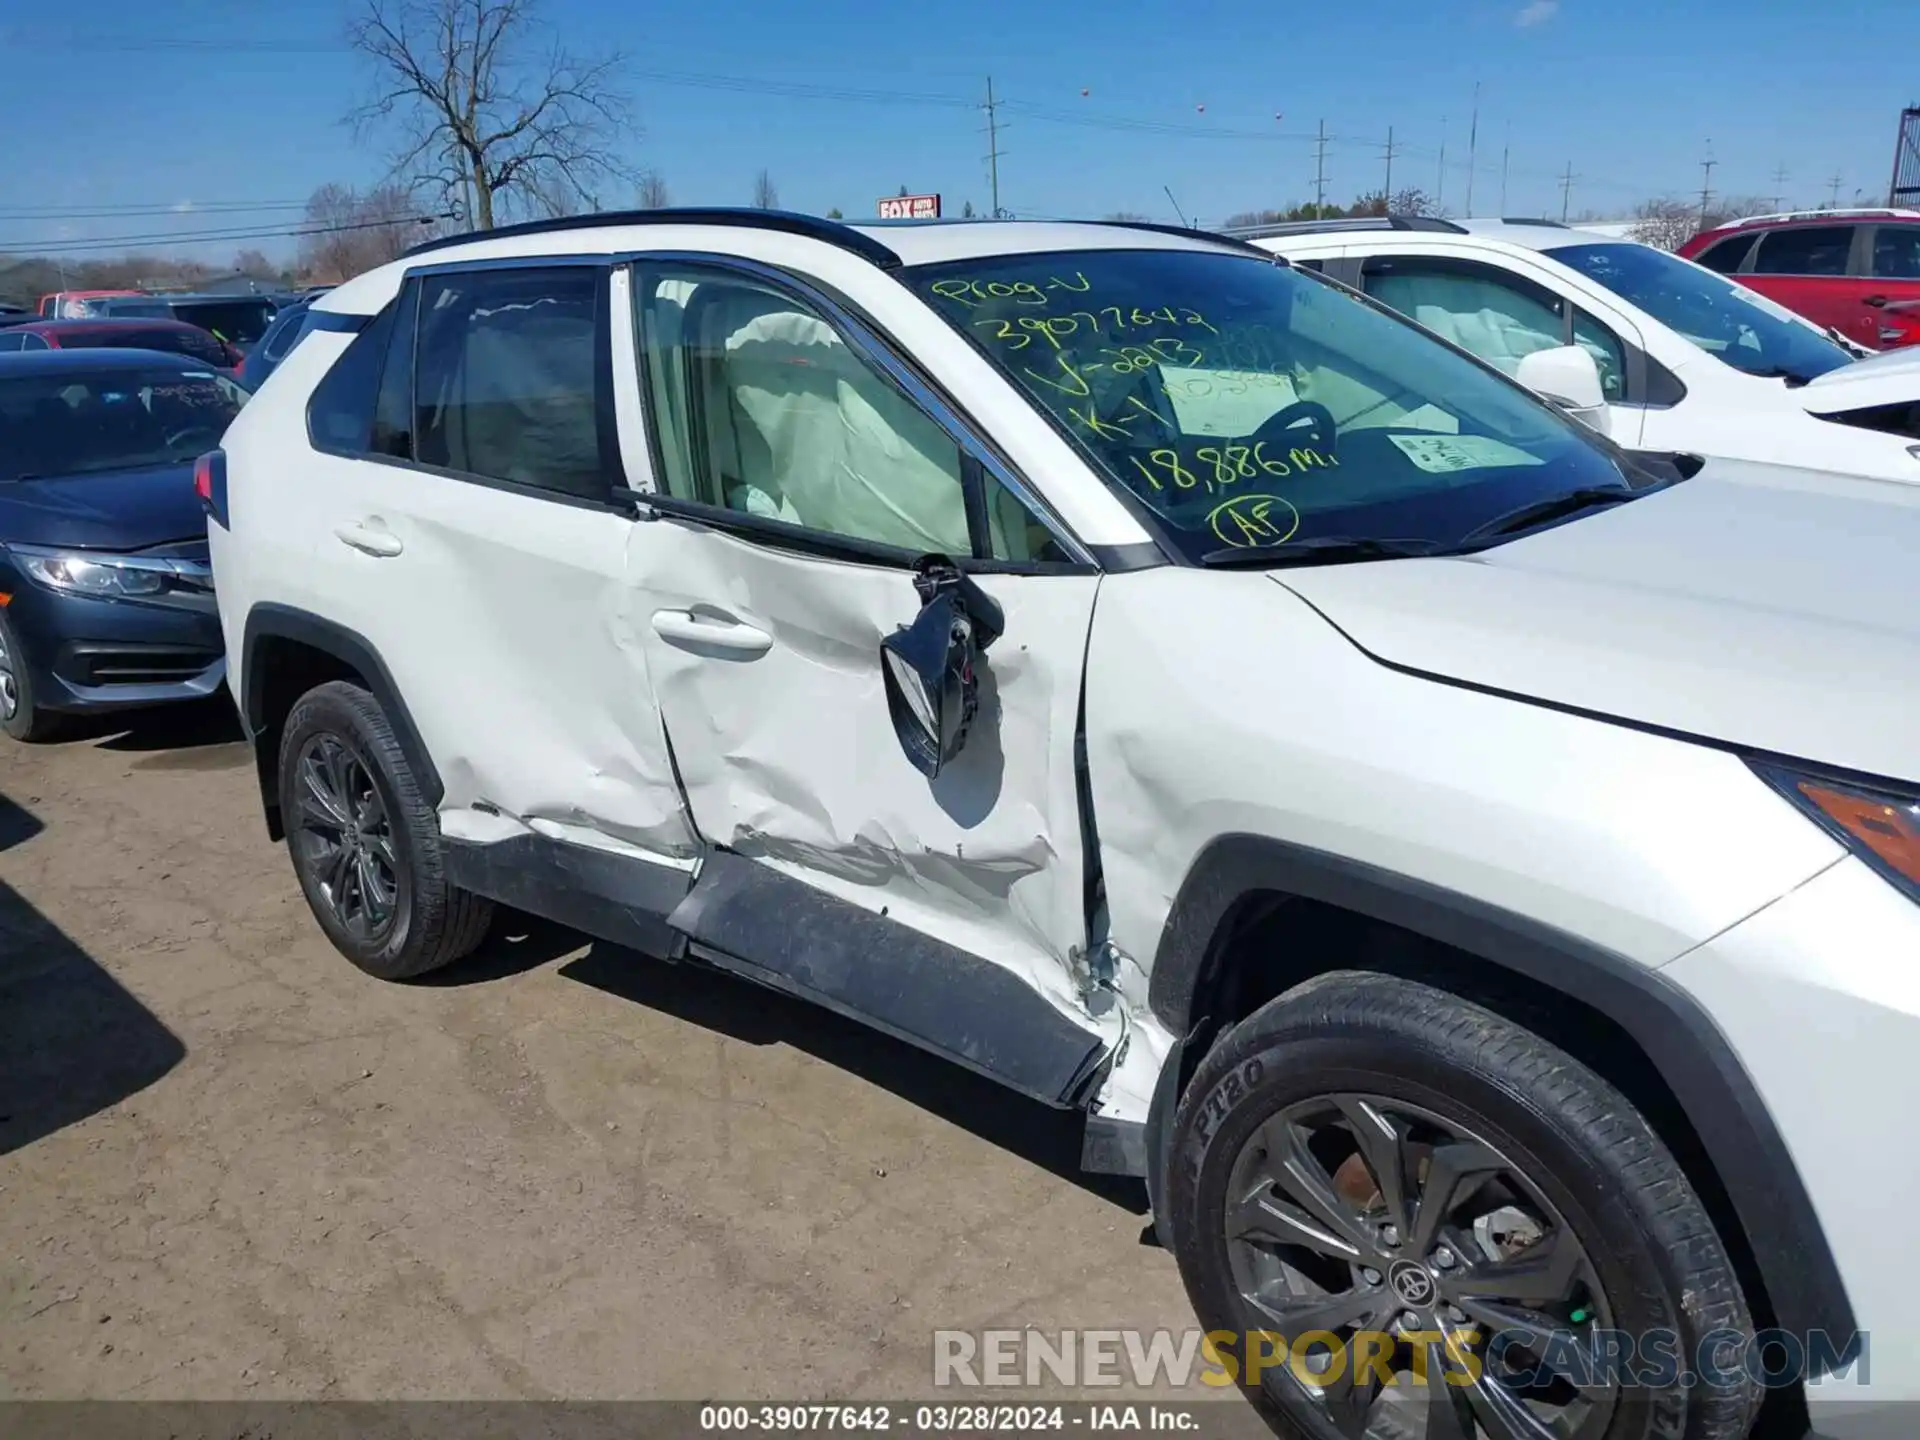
pixel 347 838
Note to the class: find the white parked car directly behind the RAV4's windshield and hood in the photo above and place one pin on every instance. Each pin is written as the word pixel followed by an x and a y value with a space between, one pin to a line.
pixel 1687 360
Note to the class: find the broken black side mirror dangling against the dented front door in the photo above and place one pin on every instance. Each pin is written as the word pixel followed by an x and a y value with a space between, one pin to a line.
pixel 928 667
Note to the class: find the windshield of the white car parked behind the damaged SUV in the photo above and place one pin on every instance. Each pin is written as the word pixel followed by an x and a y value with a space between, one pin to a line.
pixel 1725 320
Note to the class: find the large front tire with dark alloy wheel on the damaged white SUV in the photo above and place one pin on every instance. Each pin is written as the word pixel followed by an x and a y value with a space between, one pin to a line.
pixel 1368 1159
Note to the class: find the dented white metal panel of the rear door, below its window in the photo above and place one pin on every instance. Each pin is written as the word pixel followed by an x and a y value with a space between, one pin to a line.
pixel 504 592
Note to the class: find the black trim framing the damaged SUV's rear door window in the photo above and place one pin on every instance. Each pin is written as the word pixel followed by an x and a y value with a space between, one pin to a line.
pixel 619 498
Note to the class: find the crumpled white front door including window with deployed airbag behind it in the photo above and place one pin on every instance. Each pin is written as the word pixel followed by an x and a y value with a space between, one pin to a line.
pixel 798 485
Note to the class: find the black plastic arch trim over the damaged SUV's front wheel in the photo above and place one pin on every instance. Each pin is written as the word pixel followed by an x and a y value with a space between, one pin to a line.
pixel 1677 1036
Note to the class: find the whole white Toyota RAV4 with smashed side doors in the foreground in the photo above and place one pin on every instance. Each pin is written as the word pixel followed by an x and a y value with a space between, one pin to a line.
pixel 1472 873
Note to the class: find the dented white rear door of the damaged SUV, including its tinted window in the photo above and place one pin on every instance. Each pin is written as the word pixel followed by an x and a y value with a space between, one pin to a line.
pixel 471 531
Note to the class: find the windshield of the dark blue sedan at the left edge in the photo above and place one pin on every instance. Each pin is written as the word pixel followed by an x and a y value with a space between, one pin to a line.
pixel 57 425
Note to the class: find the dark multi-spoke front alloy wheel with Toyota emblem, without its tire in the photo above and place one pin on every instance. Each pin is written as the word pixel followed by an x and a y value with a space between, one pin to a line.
pixel 1404 1236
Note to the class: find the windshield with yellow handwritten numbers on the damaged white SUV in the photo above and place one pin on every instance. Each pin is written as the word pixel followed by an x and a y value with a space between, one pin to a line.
pixel 1251 404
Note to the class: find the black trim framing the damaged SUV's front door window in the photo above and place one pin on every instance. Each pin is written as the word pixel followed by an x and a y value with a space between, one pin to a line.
pixel 871 343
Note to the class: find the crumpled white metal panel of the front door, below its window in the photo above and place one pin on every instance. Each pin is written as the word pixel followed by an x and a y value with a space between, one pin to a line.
pixel 788 754
